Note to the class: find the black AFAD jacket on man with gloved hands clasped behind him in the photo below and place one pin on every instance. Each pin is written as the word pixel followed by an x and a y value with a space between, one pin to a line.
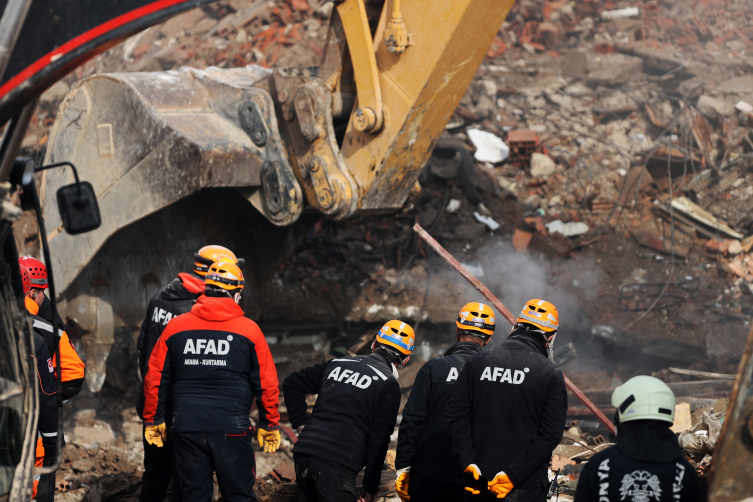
pixel 518 405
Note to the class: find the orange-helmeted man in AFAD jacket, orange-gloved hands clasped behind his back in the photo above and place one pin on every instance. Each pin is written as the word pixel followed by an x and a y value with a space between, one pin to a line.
pixel 507 411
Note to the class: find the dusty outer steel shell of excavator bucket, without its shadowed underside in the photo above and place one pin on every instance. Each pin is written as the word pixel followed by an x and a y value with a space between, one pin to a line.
pixel 146 140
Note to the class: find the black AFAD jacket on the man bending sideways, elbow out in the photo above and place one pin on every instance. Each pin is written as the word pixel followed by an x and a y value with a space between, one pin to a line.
pixel 354 415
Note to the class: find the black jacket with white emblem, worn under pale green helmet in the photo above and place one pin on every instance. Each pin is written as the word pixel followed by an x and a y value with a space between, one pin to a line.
pixel 646 465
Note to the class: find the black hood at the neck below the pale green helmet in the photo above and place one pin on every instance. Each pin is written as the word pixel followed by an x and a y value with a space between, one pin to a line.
pixel 648 441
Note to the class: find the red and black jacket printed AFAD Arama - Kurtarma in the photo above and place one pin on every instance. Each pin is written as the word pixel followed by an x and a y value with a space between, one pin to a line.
pixel 216 362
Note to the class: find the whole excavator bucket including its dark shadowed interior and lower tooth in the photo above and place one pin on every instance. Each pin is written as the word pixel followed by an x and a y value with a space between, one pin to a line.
pixel 146 141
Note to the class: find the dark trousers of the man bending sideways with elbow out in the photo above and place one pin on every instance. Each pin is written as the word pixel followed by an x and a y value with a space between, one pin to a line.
pixel 322 481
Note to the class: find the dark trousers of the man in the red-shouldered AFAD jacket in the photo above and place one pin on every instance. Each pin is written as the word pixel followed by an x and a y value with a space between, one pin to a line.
pixel 230 457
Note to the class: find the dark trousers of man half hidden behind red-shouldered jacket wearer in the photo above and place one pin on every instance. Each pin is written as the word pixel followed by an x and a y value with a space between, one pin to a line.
pixel 159 470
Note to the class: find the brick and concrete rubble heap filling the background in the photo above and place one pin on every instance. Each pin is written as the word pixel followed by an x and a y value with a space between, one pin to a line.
pixel 601 158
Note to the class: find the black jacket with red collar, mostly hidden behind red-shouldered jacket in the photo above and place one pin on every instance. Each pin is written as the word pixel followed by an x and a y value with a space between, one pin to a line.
pixel 171 301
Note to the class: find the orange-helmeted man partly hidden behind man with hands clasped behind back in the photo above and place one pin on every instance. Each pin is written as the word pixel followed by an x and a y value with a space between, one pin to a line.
pixel 426 467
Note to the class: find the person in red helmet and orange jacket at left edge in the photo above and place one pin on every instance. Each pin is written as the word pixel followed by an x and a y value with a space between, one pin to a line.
pixel 73 370
